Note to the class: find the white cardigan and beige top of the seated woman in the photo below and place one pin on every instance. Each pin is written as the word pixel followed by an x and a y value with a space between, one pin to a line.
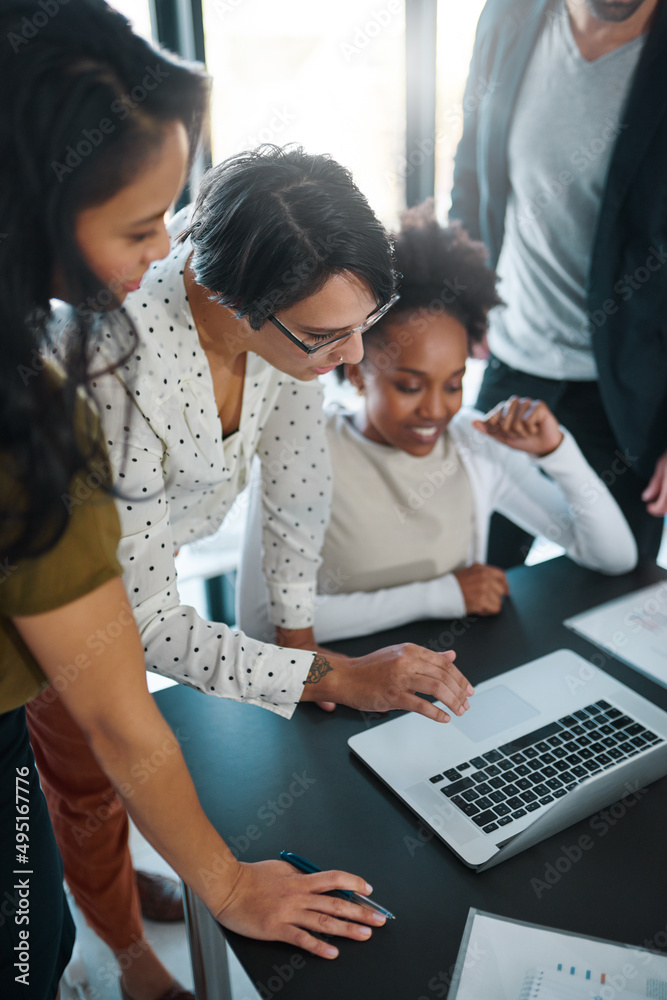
pixel 572 507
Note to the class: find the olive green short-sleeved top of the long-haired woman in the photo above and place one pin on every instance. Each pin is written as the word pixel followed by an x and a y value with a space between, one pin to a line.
pixel 83 559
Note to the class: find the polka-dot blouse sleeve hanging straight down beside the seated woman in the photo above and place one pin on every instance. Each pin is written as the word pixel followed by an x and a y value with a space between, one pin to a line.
pixel 296 501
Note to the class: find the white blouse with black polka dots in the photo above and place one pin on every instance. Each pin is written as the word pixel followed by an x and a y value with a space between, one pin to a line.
pixel 180 476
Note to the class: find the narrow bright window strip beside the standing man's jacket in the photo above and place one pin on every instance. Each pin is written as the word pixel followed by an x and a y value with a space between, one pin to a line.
pixel 455 37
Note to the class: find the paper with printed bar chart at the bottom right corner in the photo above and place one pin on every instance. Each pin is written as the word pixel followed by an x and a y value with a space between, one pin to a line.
pixel 502 959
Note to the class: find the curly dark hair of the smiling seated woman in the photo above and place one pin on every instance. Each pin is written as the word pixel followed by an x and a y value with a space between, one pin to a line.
pixel 441 269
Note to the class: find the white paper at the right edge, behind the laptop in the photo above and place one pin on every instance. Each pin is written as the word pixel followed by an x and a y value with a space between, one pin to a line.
pixel 632 628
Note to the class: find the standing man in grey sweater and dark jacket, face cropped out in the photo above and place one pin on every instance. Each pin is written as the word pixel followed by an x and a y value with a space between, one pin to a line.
pixel 560 171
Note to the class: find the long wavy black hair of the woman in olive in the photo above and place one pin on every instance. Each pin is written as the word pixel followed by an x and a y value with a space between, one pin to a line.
pixel 77 122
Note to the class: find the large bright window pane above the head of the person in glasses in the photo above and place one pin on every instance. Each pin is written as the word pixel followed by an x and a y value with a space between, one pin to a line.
pixel 329 76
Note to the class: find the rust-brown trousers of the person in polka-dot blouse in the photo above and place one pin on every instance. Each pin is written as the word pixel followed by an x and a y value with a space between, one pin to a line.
pixel 90 824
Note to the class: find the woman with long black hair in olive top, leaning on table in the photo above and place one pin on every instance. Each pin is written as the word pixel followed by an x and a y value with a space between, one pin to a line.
pixel 87 174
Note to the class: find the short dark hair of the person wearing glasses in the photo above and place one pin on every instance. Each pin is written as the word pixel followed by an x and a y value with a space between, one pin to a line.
pixel 272 225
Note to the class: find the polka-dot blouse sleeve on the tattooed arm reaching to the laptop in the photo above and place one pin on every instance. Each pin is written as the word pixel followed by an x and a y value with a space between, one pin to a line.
pixel 177 642
